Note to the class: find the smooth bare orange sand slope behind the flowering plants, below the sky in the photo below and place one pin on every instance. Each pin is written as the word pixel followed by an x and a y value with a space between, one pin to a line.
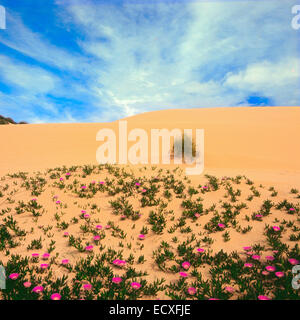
pixel 262 142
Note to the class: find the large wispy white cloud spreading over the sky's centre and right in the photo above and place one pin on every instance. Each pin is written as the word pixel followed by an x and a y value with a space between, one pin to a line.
pixel 175 55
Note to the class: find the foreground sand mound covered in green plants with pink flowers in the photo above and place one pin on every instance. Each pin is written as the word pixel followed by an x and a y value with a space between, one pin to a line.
pixel 103 220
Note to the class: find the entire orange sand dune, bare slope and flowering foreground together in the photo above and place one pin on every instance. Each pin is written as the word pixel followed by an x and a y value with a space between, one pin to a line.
pixel 70 214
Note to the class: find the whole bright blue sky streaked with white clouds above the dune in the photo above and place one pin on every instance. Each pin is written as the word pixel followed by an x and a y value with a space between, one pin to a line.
pixel 96 61
